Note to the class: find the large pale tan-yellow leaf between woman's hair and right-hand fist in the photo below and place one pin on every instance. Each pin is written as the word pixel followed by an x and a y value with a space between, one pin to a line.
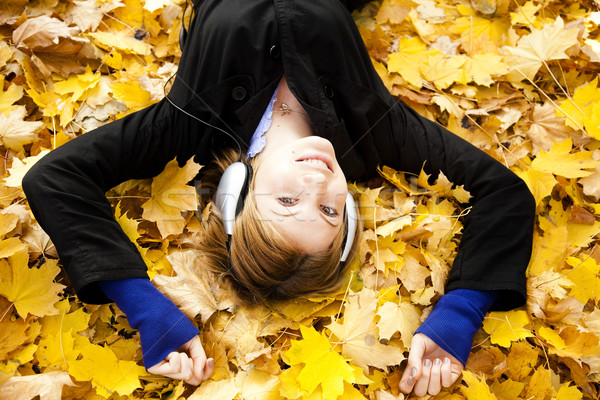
pixel 359 335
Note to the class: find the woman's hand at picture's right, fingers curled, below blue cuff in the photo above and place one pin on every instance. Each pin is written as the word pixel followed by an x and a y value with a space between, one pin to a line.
pixel 429 367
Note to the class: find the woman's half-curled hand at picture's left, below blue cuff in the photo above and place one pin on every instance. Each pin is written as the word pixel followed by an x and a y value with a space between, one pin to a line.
pixel 188 363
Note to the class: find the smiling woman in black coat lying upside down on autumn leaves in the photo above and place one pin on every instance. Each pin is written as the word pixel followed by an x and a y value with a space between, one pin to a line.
pixel 236 56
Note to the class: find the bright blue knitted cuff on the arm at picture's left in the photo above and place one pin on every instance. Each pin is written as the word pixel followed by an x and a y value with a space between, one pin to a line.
pixel 162 326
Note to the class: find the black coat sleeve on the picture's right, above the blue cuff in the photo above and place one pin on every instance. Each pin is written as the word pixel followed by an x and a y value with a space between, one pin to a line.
pixel 497 237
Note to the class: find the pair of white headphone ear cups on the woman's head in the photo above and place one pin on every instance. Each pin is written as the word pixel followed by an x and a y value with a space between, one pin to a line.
pixel 233 188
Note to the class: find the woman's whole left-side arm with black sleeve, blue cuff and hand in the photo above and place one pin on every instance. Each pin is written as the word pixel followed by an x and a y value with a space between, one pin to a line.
pixel 66 192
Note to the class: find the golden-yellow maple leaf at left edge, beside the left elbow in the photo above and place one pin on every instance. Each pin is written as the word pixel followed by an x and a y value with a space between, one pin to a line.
pixel 31 290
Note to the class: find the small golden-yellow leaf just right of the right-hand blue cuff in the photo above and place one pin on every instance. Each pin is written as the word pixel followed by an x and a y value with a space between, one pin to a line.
pixel 507 327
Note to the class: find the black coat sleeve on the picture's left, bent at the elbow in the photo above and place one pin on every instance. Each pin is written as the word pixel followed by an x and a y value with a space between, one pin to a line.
pixel 66 192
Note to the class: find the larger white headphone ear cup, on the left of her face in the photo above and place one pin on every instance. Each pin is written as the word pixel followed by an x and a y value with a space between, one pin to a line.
pixel 231 193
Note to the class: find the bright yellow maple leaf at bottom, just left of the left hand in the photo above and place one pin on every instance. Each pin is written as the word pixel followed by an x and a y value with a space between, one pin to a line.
pixel 107 373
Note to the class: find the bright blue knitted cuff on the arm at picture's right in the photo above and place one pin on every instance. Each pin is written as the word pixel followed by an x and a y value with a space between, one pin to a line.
pixel 455 318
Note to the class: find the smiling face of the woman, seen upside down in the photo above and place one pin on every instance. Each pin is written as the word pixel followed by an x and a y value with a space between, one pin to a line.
pixel 301 189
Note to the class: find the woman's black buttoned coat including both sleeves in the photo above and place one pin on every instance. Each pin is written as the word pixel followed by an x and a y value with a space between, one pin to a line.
pixel 235 54
